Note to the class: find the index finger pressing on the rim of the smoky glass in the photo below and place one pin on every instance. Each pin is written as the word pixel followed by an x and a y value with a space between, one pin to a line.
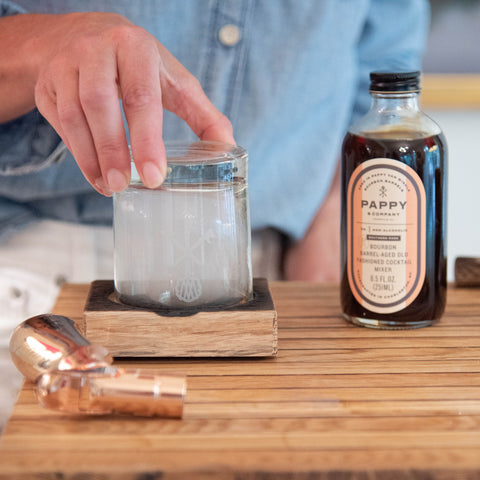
pixel 142 102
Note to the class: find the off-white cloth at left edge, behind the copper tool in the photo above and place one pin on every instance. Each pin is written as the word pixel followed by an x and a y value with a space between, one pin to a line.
pixel 33 265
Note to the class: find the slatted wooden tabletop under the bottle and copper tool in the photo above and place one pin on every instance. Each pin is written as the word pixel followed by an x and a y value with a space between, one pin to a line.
pixel 338 402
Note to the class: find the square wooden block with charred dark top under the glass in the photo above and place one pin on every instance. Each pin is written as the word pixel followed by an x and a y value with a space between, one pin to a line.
pixel 245 330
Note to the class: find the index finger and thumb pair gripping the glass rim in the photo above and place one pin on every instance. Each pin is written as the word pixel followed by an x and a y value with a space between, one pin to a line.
pixel 146 88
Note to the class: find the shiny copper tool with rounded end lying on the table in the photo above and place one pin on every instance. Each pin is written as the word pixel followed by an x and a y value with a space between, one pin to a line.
pixel 74 376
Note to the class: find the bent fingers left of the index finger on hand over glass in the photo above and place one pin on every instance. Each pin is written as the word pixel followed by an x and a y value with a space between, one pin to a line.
pixel 82 105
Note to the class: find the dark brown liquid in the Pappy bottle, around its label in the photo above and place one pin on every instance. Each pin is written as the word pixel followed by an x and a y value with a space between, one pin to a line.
pixel 430 164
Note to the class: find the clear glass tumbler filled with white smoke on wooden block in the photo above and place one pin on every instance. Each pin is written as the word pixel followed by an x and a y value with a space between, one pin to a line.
pixel 186 244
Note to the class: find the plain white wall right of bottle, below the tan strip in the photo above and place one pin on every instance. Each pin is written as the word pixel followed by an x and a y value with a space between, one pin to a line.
pixel 462 131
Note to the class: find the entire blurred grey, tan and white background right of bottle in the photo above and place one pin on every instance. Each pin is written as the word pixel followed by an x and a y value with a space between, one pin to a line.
pixel 451 96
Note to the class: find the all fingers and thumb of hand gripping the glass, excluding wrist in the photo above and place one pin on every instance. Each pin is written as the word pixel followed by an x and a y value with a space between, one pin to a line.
pixel 78 93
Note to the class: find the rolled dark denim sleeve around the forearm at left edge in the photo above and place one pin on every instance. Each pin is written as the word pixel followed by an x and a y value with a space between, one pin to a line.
pixel 29 143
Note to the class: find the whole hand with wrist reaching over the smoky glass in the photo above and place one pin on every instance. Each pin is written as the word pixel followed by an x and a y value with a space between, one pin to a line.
pixel 75 67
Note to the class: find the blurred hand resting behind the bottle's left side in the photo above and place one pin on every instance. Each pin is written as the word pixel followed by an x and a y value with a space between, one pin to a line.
pixel 316 257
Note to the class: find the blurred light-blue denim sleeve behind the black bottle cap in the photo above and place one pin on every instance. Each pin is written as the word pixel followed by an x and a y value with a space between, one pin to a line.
pixel 393 39
